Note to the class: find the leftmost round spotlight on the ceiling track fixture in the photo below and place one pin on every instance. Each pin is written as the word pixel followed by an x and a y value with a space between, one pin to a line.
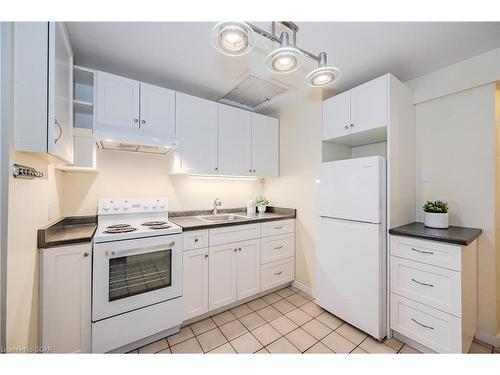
pixel 233 38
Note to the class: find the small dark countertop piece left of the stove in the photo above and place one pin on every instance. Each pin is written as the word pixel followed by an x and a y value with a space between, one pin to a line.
pixel 67 231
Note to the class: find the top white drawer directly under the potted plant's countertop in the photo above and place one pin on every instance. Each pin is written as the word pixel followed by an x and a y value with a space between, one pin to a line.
pixel 429 252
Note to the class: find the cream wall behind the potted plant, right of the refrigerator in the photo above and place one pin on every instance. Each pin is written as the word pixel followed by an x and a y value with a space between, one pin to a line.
pixel 456 150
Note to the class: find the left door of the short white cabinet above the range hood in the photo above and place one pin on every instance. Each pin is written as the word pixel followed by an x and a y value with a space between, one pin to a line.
pixel 117 104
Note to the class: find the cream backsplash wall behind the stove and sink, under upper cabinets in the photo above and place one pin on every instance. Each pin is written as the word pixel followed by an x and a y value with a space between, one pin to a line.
pixel 129 175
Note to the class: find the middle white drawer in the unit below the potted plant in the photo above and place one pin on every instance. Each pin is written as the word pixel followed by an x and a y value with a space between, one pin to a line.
pixel 434 286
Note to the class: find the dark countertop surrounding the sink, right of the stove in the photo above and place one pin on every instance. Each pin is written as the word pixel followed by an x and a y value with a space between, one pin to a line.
pixel 189 220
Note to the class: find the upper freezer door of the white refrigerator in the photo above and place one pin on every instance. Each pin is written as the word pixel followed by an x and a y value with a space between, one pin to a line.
pixel 352 189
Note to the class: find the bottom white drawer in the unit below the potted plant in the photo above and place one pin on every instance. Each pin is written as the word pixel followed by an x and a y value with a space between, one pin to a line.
pixel 430 327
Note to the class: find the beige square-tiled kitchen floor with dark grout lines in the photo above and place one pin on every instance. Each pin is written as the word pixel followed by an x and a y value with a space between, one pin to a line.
pixel 286 321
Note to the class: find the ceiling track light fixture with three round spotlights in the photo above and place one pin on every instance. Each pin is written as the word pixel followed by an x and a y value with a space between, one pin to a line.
pixel 237 39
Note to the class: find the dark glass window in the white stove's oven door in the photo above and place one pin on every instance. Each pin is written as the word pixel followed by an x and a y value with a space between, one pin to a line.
pixel 142 273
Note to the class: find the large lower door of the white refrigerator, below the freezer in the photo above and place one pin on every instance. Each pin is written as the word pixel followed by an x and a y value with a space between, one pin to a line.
pixel 351 273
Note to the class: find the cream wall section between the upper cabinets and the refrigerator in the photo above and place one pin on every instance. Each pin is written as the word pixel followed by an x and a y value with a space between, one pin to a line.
pixel 300 155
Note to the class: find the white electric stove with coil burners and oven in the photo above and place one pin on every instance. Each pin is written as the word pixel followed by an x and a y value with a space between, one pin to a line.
pixel 137 274
